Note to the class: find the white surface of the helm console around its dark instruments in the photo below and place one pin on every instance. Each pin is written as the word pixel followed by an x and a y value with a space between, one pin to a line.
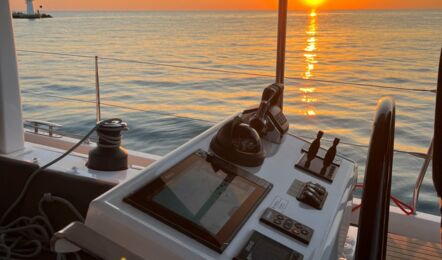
pixel 152 239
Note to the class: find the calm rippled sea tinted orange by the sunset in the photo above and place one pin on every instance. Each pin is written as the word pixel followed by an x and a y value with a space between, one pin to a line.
pixel 395 49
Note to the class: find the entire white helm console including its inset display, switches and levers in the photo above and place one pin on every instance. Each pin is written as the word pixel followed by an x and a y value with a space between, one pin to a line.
pixel 236 211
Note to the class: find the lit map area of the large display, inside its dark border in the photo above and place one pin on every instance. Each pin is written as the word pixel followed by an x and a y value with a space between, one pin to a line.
pixel 203 196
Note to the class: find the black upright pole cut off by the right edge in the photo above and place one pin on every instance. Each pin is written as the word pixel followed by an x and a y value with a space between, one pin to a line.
pixel 437 152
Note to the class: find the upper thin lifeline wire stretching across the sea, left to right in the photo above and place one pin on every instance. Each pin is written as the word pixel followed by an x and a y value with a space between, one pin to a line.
pixel 362 85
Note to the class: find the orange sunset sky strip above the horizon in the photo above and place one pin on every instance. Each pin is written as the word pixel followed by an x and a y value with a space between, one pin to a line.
pixel 224 4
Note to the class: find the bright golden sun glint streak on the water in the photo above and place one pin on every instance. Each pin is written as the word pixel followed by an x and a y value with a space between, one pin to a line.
pixel 311 61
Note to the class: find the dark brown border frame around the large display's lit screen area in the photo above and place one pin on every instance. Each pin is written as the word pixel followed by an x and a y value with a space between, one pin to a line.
pixel 143 199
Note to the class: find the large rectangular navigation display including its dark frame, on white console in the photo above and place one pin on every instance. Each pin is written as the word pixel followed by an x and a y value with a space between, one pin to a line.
pixel 204 197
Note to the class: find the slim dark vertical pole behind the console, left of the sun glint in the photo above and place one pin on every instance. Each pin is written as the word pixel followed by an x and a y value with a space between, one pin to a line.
pixel 282 35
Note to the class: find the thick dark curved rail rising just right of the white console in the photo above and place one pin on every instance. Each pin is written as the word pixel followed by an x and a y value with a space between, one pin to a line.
pixel 374 213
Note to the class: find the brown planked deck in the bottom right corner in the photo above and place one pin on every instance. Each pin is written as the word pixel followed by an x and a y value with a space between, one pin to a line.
pixel 400 247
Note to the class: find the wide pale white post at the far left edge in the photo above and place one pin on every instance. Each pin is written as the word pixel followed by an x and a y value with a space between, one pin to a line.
pixel 11 123
